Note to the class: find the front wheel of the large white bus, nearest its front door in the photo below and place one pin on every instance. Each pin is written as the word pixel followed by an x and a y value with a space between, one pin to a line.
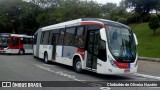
pixel 78 65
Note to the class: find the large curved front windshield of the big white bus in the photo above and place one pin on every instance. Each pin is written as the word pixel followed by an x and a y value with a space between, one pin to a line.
pixel 121 44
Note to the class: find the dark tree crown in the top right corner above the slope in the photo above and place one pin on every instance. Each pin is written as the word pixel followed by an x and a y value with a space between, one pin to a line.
pixel 142 7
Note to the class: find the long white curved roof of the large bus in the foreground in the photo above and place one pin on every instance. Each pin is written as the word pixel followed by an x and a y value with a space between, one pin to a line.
pixel 78 21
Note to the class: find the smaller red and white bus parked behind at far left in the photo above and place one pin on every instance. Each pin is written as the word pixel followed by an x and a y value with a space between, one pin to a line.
pixel 15 43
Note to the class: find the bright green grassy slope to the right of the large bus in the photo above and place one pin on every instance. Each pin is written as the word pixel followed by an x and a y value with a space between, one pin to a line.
pixel 148 43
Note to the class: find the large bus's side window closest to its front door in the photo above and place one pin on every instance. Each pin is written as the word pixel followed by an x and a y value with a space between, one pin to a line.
pixel 79 39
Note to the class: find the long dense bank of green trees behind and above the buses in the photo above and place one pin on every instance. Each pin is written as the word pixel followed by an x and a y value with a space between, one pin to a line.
pixel 26 17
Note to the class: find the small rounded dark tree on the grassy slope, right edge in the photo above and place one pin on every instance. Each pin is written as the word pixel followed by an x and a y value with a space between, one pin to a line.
pixel 154 23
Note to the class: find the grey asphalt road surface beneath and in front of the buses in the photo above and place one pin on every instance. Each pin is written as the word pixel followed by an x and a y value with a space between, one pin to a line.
pixel 27 68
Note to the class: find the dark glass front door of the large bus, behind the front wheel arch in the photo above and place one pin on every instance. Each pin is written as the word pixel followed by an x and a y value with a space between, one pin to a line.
pixel 92 48
